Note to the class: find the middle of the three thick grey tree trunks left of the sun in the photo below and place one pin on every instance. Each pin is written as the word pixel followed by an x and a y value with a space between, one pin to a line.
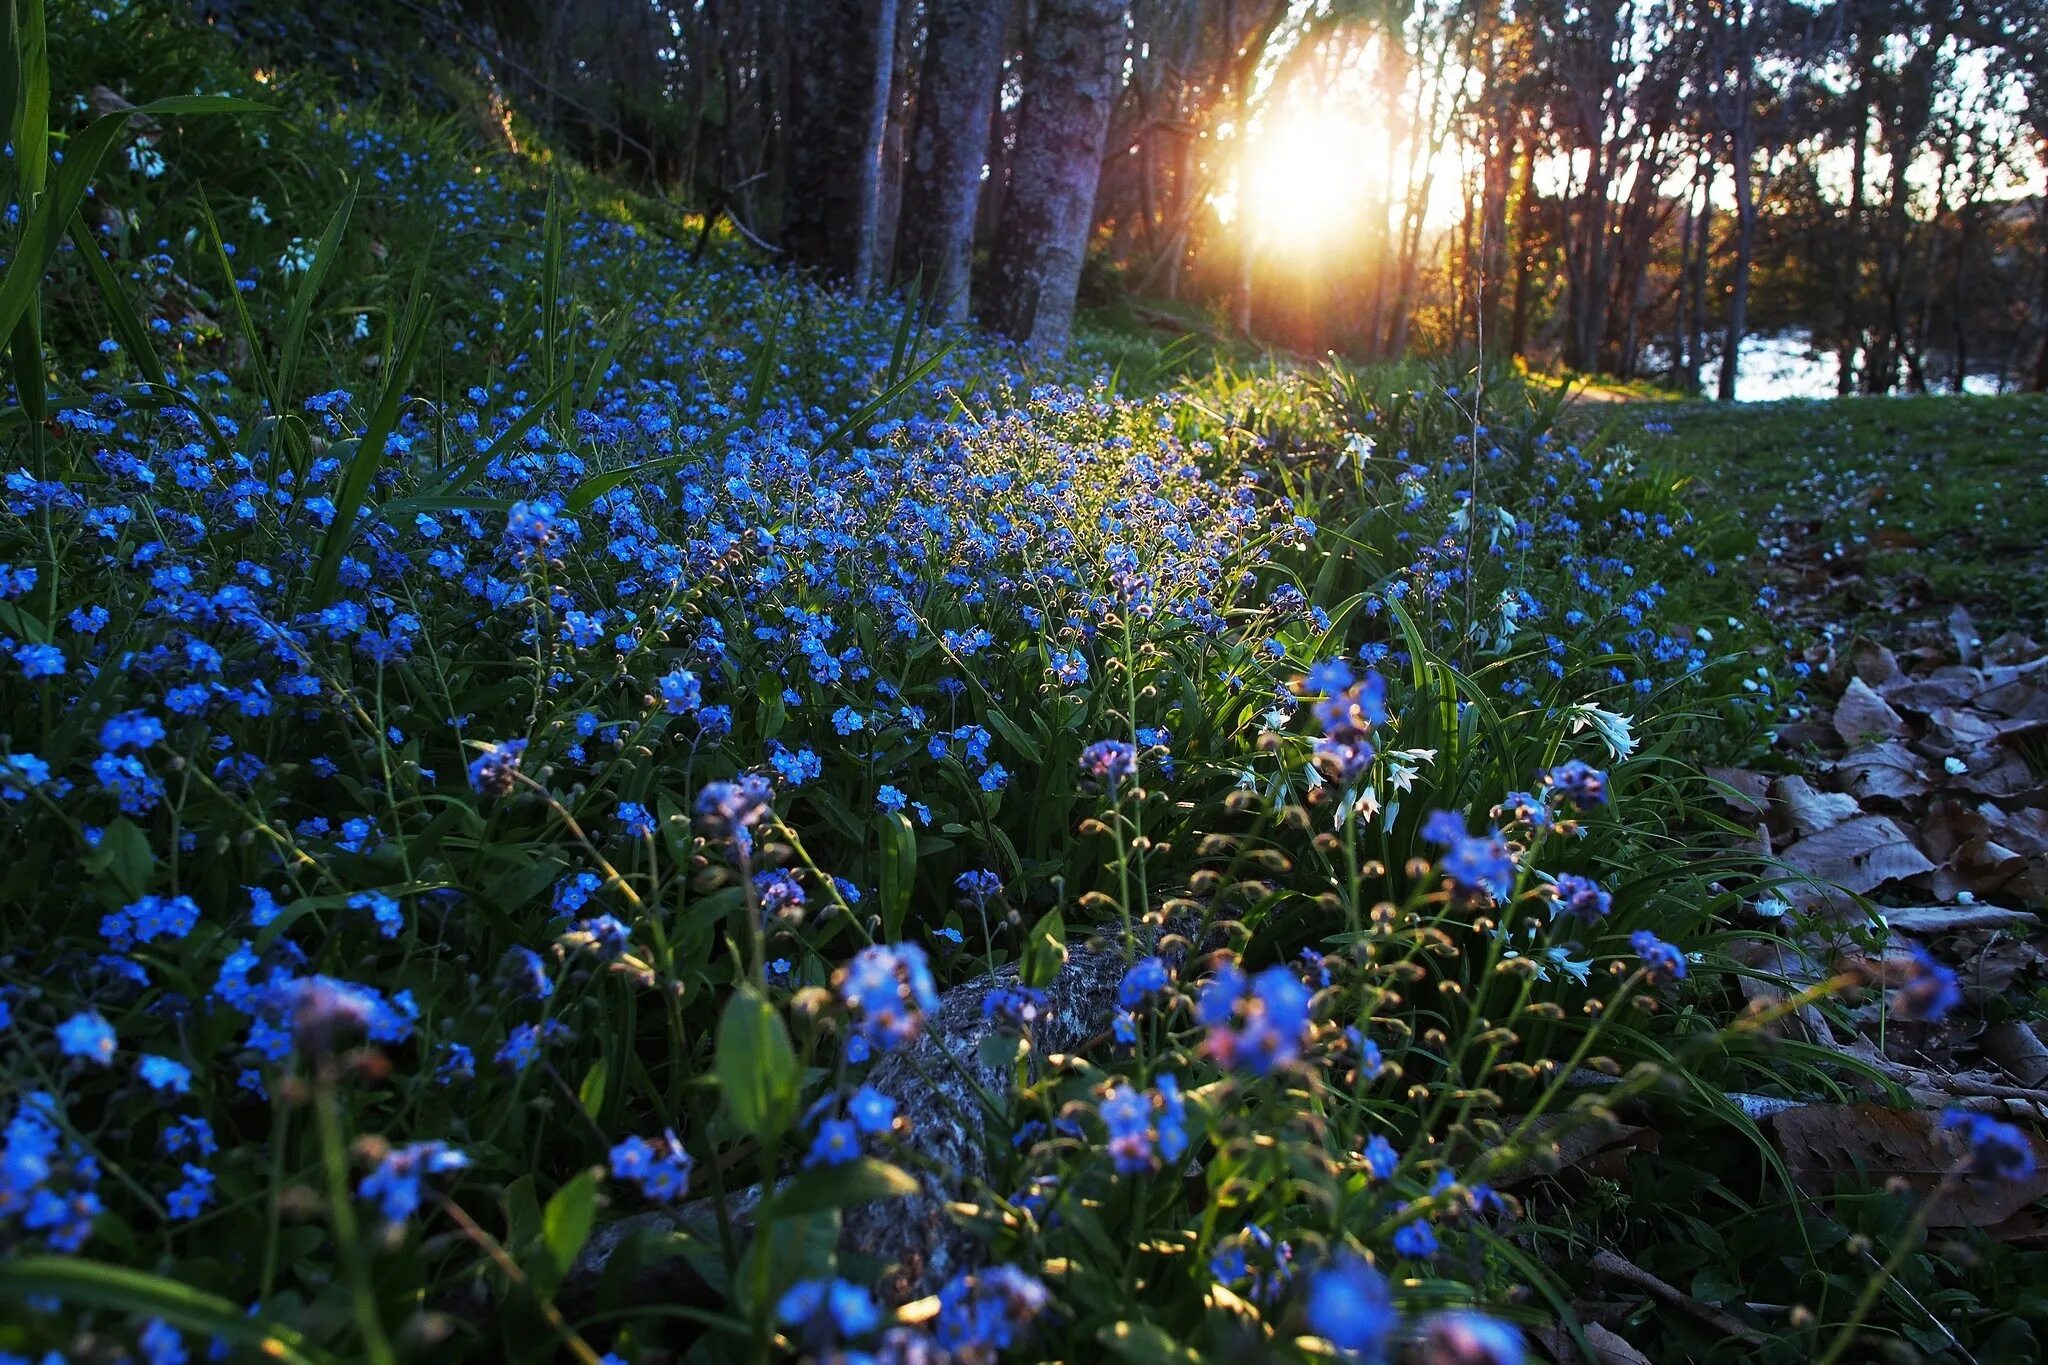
pixel 949 144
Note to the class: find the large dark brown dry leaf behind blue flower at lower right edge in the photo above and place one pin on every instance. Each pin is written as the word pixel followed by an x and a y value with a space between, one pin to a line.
pixel 1842 1147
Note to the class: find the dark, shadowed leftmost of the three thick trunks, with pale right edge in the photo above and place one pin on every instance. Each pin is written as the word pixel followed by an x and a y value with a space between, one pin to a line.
pixel 839 101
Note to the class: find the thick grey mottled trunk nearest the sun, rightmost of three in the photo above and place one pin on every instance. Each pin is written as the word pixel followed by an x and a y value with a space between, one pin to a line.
pixel 1070 89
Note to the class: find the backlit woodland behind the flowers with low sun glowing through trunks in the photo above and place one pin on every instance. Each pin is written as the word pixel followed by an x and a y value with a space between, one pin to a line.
pixel 1619 187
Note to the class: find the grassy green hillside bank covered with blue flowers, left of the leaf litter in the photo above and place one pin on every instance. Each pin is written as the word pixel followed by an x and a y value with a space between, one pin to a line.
pixel 570 793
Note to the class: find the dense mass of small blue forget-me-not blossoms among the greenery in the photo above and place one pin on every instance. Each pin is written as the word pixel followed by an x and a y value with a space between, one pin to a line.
pixel 624 705
